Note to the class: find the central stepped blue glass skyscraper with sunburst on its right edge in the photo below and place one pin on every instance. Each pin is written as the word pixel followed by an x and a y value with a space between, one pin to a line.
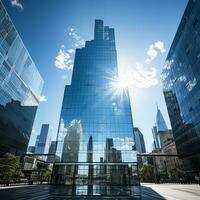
pixel 95 138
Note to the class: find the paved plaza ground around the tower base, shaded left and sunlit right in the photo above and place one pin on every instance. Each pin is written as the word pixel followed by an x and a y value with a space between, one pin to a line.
pixel 148 192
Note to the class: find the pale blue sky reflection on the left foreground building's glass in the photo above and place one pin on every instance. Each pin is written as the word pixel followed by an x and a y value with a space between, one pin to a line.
pixel 19 77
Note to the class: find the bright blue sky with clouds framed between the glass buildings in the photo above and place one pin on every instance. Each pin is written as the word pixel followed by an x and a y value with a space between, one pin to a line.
pixel 141 28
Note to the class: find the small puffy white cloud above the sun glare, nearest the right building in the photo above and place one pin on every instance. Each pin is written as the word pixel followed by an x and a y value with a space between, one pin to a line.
pixel 153 50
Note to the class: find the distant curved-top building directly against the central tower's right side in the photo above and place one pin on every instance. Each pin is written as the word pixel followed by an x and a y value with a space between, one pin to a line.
pixel 139 141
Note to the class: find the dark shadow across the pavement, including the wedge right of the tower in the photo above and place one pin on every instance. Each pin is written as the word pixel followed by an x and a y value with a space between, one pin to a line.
pixel 46 192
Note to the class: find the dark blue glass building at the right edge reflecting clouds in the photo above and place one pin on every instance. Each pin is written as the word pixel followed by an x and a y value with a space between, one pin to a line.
pixel 181 85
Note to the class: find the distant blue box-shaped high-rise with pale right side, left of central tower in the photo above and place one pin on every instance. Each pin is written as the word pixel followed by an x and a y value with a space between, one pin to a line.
pixel 44 139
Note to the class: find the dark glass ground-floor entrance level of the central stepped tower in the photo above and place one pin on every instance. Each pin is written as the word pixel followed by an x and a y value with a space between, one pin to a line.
pixel 98 178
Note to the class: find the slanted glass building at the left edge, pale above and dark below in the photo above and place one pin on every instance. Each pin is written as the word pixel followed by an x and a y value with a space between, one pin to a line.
pixel 20 89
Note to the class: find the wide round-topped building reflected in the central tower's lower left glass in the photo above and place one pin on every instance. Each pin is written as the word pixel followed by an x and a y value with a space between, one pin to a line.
pixel 72 142
